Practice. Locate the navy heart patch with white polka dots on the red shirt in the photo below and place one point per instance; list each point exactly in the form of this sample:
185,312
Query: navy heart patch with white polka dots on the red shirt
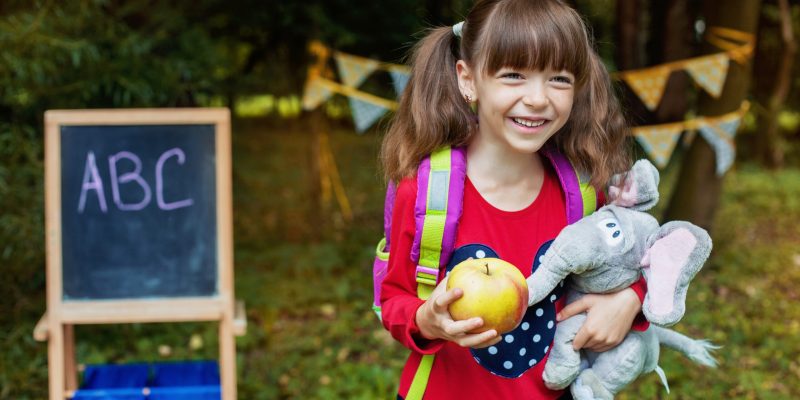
525,346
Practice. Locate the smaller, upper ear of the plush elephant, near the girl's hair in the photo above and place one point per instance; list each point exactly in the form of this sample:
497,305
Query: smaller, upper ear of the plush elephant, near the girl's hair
636,189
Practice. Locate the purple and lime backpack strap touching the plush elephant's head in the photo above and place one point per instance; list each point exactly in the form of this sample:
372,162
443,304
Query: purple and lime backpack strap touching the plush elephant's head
580,196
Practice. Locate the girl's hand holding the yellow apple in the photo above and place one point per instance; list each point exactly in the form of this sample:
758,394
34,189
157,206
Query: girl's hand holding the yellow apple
435,322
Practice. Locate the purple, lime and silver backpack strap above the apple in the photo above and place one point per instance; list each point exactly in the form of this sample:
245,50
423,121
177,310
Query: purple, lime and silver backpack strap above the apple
440,193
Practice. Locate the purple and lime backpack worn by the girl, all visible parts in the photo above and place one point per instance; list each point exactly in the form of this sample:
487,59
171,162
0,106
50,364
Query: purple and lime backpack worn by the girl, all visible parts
441,177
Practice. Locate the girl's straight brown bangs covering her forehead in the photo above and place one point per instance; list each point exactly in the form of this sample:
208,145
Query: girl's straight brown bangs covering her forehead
531,35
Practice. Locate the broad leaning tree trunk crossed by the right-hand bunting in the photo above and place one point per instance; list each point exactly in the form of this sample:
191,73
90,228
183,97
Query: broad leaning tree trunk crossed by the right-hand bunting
696,194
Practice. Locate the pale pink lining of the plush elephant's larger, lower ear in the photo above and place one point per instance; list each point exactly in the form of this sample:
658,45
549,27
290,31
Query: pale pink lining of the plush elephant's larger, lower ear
667,257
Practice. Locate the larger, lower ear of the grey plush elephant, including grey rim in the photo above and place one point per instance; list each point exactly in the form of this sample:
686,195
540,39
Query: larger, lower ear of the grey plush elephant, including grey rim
675,254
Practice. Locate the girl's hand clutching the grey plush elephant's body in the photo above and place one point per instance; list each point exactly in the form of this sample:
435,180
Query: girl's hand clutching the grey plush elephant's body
608,320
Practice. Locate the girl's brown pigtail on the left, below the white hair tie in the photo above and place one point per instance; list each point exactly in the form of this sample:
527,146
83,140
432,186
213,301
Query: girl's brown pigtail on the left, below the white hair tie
431,112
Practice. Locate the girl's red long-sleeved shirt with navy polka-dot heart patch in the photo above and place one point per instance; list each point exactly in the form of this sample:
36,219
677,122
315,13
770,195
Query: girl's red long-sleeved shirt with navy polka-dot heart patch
512,368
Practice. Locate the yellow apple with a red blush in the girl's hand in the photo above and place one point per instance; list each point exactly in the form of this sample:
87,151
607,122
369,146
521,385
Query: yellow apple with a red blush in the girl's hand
494,290
